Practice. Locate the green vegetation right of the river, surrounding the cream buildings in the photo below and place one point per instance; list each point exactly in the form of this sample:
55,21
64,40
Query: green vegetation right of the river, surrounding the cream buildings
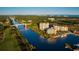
58,20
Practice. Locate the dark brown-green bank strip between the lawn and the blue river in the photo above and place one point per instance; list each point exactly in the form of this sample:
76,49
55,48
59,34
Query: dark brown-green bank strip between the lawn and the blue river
24,44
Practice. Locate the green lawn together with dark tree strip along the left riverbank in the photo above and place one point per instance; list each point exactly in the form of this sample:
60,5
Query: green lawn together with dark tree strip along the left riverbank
13,41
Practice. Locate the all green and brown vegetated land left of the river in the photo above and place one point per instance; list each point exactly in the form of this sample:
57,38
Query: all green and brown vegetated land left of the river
10,37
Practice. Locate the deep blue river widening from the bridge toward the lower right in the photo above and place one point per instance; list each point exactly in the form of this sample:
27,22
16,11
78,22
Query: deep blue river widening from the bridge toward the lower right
42,44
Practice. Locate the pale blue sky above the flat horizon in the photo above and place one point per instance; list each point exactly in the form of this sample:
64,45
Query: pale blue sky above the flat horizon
39,10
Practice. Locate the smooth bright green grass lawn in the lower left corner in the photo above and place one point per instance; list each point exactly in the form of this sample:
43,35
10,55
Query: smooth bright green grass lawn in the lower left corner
9,42
